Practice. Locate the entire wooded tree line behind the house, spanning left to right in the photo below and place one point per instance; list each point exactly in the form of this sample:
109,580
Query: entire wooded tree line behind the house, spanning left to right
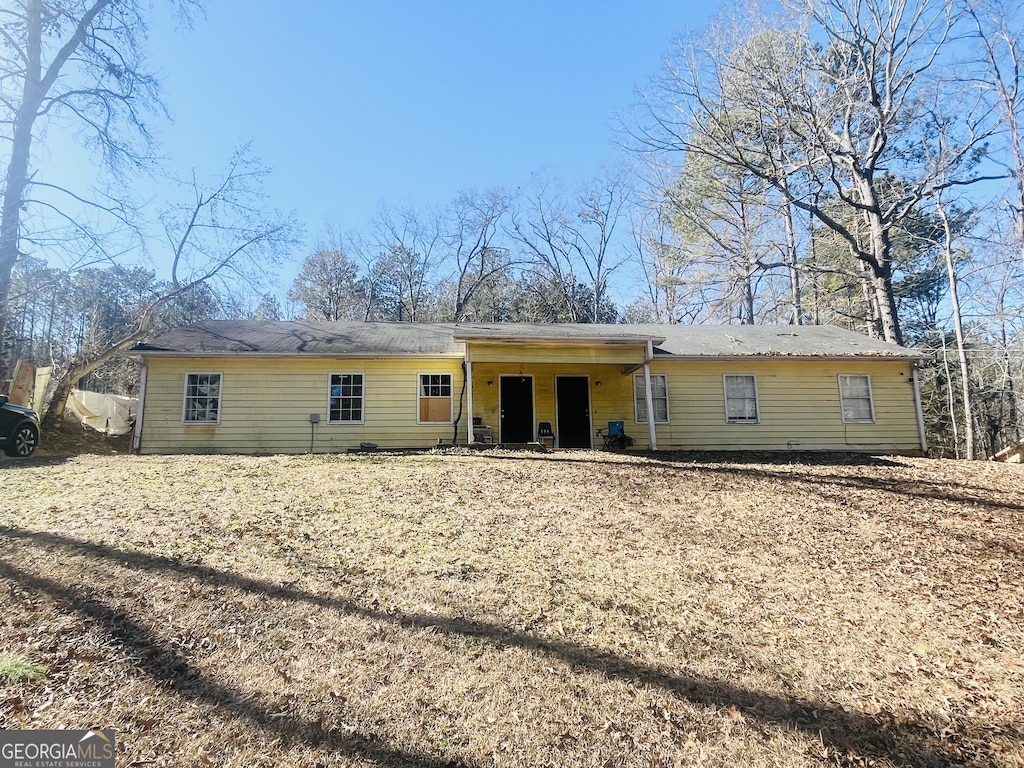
848,162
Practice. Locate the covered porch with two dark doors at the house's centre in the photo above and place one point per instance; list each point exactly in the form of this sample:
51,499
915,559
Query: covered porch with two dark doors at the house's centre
520,383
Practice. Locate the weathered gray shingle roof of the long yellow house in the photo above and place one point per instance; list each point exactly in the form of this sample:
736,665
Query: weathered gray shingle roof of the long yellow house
257,337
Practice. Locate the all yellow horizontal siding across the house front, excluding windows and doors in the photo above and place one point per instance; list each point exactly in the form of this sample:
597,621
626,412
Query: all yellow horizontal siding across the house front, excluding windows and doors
267,403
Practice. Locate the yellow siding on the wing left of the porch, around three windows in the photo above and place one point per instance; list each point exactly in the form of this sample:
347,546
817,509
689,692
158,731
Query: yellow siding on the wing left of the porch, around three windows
267,403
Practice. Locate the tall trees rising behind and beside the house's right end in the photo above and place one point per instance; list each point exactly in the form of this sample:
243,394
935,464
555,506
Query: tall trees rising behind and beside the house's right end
858,163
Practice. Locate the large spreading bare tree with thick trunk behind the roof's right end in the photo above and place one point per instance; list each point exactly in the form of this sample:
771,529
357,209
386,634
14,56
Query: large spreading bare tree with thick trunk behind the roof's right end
824,123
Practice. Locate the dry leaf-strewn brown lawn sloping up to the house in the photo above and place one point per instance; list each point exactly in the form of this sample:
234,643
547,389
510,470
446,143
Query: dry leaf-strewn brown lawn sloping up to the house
583,610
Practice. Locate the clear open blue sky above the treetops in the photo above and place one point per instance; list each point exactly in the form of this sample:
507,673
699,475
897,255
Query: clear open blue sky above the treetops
354,104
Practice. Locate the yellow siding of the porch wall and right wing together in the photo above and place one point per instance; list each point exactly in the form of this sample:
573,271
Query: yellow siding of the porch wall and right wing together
799,403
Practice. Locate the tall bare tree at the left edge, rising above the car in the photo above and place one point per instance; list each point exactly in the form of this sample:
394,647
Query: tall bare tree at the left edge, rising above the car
79,62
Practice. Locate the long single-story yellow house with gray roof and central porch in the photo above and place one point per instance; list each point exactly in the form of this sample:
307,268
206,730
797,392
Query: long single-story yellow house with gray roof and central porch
246,387
